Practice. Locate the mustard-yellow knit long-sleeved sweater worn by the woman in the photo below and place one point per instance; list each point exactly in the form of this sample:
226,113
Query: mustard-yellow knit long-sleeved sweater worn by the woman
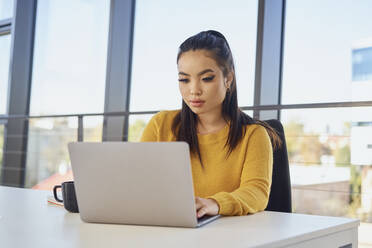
241,183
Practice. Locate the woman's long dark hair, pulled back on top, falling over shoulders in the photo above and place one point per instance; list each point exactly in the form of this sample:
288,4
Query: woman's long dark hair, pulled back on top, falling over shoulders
185,122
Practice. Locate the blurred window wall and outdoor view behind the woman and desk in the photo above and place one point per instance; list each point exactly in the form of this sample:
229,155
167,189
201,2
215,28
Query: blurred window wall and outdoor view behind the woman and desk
93,70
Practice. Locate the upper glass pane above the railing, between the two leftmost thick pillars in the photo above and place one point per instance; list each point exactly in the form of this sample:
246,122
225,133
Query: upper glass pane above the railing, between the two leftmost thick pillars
69,67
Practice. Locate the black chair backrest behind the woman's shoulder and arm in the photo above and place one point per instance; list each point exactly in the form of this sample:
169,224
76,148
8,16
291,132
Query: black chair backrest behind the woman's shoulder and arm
280,199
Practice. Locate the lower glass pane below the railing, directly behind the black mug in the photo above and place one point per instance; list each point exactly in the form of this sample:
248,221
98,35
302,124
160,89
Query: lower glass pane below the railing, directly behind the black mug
48,161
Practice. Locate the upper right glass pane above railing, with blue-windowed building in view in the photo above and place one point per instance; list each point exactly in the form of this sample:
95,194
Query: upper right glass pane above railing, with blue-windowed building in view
327,59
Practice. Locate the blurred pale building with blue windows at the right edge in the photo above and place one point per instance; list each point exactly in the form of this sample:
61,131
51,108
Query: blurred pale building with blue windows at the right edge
361,129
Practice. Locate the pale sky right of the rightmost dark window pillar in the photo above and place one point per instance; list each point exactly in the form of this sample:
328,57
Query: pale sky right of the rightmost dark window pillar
317,63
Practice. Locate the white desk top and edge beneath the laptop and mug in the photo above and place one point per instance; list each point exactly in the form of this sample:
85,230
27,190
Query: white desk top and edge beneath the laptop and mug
27,220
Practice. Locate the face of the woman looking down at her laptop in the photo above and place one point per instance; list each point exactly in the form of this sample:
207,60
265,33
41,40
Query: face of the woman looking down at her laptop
201,81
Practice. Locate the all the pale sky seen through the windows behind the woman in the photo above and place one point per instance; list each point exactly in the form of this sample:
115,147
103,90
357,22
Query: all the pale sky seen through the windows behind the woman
70,54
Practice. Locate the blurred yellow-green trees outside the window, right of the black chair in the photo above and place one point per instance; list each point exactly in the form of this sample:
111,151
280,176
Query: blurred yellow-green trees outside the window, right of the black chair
310,147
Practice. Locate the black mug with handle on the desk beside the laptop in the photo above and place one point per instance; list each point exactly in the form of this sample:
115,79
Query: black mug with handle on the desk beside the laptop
68,195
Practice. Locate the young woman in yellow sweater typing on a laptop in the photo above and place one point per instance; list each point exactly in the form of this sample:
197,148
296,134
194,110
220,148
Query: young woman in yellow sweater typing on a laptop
231,153
